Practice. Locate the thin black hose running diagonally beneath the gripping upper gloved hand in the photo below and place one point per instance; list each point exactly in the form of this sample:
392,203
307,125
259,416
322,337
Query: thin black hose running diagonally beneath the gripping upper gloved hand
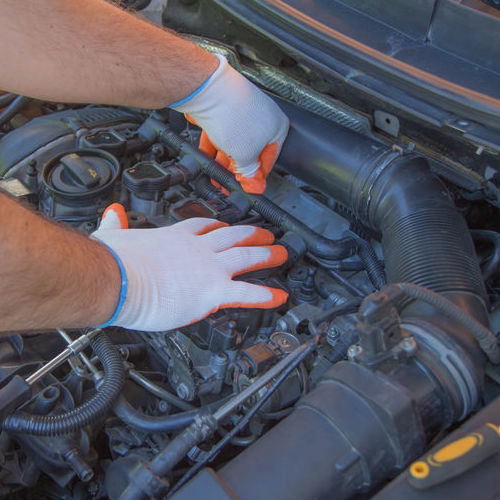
317,244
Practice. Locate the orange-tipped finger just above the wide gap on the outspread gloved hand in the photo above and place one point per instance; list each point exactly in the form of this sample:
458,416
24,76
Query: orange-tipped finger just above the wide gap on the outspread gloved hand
241,260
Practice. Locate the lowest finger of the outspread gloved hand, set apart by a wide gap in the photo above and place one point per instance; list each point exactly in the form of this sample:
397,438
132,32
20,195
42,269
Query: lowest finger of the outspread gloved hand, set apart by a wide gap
248,295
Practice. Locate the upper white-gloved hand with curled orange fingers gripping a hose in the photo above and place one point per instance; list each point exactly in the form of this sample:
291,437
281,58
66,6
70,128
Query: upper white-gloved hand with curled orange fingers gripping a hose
241,124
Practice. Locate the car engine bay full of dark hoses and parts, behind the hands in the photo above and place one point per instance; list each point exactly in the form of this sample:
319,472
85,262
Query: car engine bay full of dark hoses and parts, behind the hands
386,345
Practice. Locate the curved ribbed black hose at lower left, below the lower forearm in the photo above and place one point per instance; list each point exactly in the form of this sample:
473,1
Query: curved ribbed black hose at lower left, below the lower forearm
87,413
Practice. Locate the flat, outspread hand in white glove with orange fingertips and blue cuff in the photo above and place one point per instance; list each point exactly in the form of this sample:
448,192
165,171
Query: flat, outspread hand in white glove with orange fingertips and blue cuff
177,275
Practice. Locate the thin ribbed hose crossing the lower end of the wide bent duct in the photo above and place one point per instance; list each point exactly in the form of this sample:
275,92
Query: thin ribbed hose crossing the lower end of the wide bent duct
486,339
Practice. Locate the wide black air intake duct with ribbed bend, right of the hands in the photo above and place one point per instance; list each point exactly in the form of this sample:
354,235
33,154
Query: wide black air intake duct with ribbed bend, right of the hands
425,240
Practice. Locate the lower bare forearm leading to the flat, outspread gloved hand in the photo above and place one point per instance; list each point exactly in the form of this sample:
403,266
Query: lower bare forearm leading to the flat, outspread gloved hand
51,276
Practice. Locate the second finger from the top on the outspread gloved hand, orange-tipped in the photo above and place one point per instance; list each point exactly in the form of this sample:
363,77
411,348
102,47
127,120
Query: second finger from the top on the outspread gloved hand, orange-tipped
238,236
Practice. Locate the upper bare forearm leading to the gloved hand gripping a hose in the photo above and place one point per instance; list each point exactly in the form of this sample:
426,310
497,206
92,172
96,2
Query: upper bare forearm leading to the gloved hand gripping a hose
89,51
